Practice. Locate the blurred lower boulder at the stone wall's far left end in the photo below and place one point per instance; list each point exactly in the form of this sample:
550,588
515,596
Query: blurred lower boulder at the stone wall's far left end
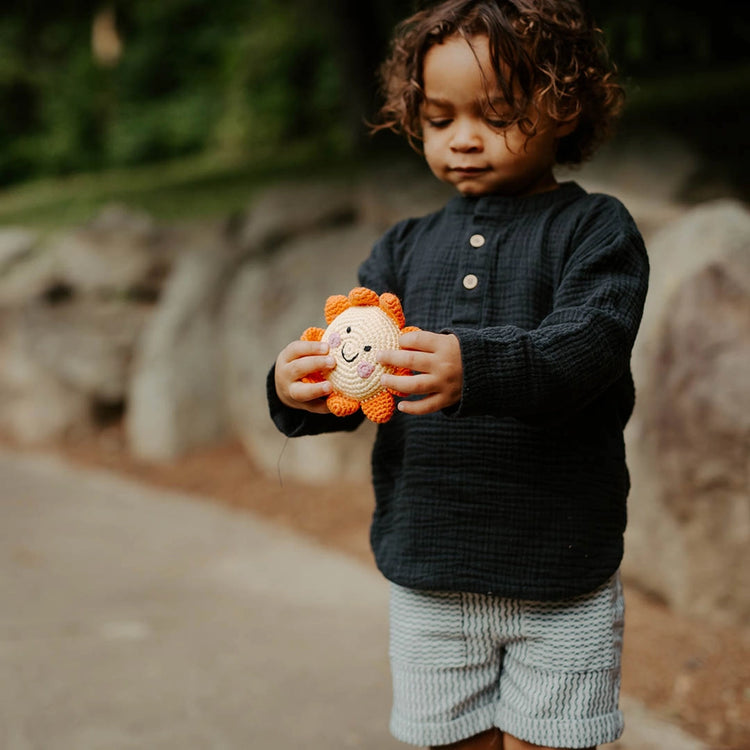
65,366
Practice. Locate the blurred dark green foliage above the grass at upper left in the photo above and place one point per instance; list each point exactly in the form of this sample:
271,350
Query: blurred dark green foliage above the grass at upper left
194,75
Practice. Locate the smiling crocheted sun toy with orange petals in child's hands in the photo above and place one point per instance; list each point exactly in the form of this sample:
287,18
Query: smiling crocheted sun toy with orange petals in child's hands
359,326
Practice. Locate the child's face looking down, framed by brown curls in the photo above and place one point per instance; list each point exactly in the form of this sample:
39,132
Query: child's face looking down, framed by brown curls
466,142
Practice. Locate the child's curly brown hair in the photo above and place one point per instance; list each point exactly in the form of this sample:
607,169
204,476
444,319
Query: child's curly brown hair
547,56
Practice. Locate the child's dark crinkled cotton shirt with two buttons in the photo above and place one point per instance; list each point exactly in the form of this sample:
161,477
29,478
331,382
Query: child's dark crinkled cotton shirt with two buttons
520,489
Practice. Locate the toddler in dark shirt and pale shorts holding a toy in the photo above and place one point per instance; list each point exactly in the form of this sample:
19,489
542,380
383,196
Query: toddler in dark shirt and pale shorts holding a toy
501,481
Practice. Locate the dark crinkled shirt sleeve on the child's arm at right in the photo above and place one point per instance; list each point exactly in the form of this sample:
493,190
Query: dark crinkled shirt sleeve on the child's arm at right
581,348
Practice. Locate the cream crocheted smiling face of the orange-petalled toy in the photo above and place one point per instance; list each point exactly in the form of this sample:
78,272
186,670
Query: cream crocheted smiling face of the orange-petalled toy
354,338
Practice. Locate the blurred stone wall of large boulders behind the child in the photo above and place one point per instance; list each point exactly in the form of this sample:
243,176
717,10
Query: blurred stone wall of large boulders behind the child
174,328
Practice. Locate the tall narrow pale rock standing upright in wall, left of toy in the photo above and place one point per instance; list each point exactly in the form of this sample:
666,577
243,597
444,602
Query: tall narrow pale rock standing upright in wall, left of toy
176,397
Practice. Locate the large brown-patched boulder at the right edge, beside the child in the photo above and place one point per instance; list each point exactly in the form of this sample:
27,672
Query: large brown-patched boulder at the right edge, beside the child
688,539
